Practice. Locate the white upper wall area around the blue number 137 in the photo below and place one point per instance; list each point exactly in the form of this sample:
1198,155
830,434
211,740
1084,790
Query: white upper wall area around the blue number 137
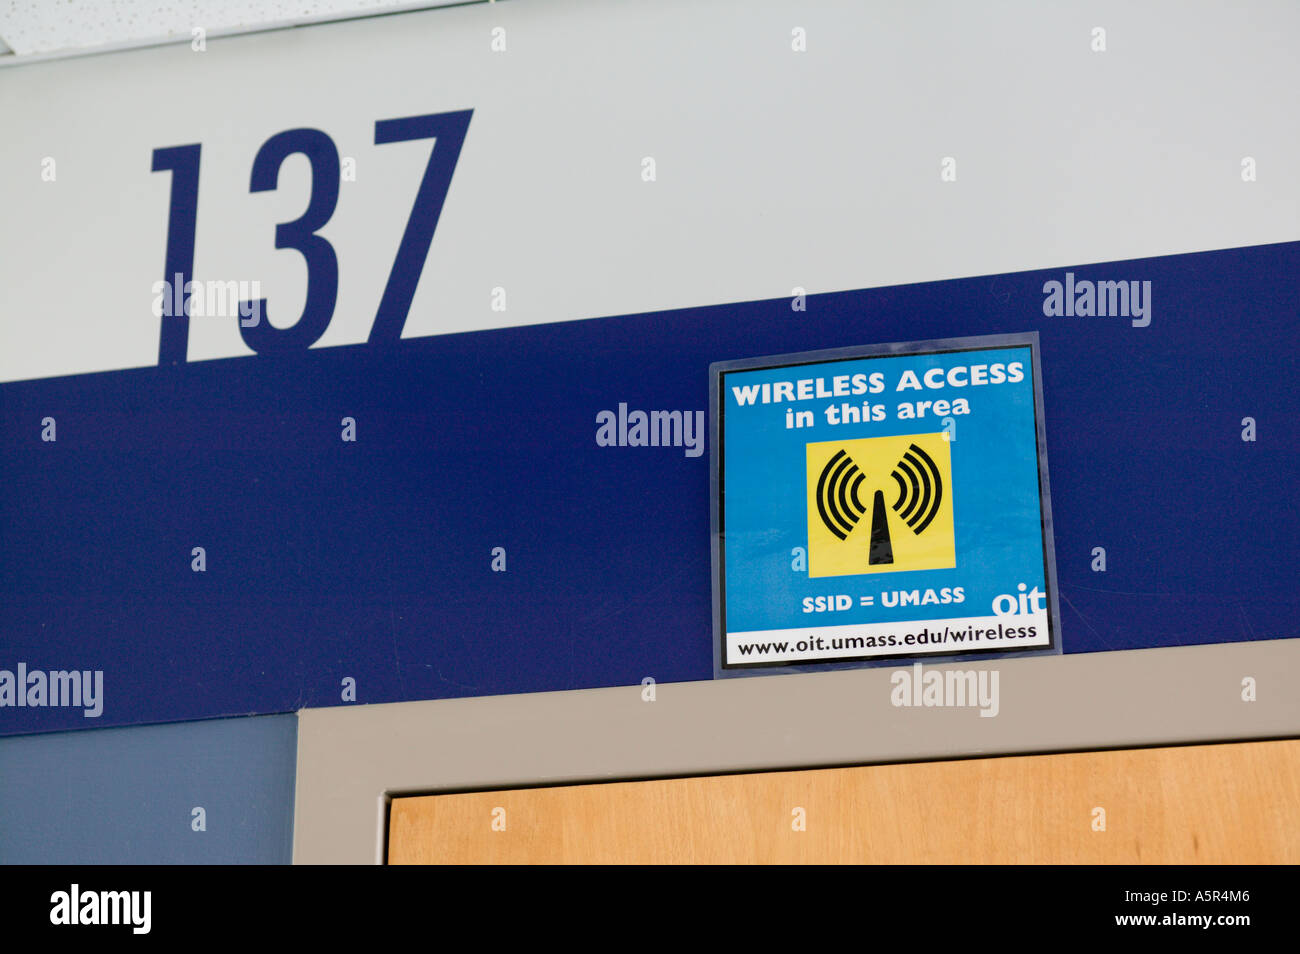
775,168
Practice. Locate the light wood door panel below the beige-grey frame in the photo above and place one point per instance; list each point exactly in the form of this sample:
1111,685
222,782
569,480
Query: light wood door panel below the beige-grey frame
1212,804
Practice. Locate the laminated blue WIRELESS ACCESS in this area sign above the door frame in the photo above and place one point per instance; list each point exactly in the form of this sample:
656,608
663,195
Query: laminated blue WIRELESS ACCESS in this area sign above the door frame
882,504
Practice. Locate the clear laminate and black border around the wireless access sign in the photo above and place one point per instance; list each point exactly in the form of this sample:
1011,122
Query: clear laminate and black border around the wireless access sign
718,372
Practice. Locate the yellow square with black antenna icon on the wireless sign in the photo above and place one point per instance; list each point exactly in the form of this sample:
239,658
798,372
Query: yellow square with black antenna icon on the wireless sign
881,505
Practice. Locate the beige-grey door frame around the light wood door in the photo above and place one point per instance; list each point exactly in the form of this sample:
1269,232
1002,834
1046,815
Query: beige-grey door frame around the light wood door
354,760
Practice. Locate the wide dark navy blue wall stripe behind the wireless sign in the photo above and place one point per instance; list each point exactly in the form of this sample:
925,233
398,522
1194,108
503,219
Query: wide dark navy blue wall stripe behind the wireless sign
371,561
